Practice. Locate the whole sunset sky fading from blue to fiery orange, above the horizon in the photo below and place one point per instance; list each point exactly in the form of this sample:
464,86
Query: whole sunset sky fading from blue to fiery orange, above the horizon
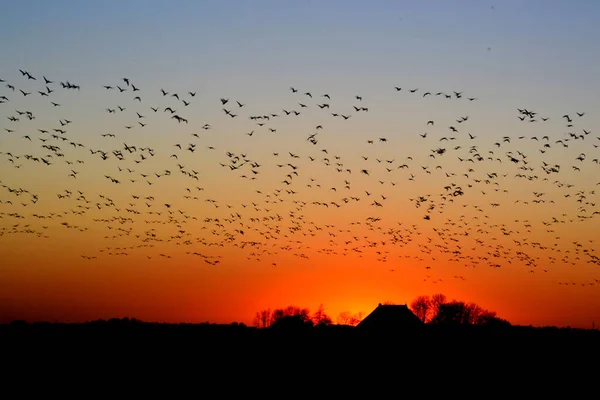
128,201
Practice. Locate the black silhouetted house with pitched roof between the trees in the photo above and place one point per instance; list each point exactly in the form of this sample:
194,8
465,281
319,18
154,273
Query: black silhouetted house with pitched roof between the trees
390,317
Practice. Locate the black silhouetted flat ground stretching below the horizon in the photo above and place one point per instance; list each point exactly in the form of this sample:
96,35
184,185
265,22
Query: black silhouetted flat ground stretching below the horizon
335,360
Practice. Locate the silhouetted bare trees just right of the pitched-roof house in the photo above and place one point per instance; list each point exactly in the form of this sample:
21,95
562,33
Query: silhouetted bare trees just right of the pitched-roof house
438,310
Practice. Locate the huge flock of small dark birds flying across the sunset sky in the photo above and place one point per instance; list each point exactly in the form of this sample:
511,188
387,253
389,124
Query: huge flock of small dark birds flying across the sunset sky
472,184
